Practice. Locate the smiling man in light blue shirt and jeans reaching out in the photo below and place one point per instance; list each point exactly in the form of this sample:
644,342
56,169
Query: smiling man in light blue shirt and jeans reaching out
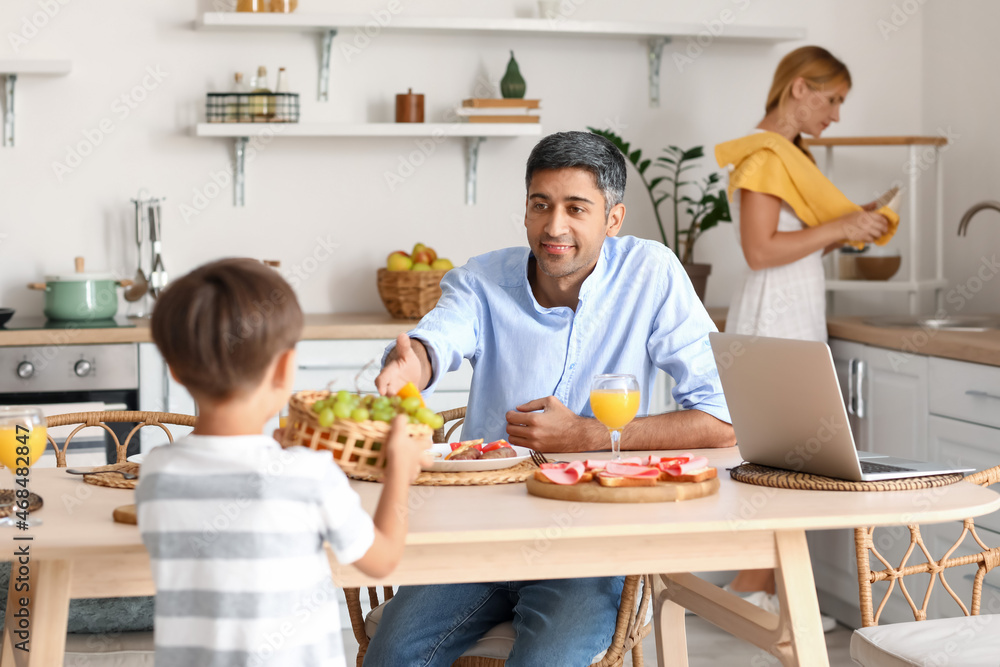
537,324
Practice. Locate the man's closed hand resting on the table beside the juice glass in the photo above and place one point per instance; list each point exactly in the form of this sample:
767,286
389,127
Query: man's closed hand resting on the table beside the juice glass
545,424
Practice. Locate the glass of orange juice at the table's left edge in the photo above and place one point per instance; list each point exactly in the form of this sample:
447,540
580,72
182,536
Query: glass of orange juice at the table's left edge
22,441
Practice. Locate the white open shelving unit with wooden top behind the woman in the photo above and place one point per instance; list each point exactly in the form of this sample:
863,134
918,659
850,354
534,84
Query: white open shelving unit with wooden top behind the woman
913,284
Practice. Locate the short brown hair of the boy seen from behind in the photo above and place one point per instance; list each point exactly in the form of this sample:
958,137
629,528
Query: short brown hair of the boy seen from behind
221,326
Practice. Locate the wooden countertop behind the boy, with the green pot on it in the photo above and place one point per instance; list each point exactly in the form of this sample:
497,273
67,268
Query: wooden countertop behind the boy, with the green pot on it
319,326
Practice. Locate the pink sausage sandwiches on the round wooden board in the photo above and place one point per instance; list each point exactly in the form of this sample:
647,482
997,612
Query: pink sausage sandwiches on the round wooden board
634,471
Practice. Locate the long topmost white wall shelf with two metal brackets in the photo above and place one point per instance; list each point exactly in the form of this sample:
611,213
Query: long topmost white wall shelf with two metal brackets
657,35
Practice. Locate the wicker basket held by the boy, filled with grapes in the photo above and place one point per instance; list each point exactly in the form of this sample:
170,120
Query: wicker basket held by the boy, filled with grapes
356,446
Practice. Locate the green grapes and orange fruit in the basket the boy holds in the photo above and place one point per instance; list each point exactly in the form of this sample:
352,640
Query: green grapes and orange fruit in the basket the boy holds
364,407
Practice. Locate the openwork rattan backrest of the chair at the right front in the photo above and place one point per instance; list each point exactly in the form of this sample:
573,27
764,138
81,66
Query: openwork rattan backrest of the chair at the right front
986,559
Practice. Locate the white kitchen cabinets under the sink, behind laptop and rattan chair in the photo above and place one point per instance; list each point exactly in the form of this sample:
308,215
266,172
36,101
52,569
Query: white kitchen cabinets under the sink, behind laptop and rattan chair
915,407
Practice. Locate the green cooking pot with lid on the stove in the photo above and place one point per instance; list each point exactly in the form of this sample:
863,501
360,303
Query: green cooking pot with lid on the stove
80,296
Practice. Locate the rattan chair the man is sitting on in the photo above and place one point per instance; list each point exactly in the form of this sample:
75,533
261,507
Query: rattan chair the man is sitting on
630,627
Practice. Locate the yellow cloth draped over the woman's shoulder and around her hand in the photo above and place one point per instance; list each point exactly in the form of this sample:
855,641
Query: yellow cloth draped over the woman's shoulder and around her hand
769,163
